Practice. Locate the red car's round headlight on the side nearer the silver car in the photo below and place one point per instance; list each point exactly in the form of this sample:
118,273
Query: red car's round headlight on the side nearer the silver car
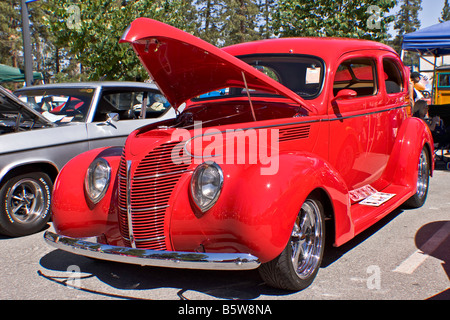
97,179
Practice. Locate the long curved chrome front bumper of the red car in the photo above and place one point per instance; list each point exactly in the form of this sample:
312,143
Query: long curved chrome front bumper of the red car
168,259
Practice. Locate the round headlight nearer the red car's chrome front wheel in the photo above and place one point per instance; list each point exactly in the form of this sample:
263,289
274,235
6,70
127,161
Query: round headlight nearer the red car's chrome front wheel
206,185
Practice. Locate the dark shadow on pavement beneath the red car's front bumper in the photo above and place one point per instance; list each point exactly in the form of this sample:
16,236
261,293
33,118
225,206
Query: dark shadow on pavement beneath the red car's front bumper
133,280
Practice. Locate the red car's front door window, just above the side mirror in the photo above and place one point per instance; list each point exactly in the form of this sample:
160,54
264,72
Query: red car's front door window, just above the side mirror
358,75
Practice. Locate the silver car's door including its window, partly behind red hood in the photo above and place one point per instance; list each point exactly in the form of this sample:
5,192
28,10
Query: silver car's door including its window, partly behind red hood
120,111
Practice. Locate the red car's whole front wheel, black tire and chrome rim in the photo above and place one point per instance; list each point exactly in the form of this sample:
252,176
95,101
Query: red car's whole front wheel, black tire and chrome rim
297,266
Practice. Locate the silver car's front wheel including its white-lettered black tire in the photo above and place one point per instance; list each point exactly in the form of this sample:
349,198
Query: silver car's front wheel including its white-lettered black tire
25,204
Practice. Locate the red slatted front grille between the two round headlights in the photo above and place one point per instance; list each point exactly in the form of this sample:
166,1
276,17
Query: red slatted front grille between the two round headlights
151,186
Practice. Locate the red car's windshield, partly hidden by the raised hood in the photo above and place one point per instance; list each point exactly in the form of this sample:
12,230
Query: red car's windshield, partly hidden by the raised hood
302,74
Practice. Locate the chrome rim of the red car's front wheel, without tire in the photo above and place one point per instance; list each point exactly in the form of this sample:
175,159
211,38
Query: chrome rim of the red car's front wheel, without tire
307,240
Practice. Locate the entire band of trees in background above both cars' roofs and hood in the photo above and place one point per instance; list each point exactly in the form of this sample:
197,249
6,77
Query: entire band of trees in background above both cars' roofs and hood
79,40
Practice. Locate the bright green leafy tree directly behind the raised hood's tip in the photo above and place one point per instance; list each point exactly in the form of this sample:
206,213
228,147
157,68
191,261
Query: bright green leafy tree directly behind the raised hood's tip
91,30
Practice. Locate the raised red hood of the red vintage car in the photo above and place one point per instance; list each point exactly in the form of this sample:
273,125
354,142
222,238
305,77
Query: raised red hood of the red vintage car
184,66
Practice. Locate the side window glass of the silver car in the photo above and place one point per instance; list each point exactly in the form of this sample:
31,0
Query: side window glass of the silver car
129,105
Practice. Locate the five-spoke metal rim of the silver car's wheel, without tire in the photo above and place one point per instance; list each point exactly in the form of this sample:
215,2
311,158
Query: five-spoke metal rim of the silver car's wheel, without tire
26,201
